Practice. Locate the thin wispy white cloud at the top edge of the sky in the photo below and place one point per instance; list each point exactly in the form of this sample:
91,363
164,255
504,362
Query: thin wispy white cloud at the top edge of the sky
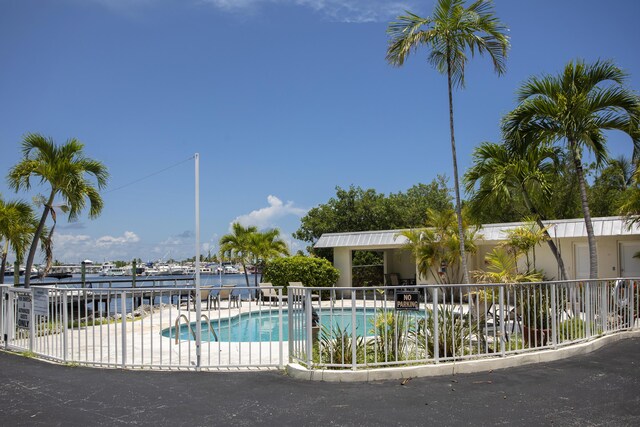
336,10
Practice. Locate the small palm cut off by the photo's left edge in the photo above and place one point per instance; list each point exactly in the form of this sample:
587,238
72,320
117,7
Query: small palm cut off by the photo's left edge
17,225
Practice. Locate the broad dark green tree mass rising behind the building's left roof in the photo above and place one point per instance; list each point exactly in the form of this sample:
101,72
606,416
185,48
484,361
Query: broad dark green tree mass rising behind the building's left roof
357,209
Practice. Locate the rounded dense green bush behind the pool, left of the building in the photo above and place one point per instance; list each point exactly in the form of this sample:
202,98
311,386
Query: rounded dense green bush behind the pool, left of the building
311,271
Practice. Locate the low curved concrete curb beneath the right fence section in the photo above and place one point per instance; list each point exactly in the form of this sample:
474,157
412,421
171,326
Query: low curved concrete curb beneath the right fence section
452,368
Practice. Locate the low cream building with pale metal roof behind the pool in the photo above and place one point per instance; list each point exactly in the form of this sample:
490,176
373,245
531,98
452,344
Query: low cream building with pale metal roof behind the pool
616,245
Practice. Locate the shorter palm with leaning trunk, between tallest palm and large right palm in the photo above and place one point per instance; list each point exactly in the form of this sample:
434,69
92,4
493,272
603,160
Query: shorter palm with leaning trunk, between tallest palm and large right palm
504,176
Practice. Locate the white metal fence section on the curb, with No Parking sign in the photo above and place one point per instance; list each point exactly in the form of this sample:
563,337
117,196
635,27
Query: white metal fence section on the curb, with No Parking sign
359,328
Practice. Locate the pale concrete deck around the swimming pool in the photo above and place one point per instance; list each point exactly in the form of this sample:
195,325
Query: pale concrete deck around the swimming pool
145,347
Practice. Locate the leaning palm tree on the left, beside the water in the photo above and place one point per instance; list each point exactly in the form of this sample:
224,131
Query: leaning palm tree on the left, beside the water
65,169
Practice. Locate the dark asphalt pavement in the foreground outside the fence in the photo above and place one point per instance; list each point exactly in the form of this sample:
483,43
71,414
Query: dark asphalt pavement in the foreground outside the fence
601,388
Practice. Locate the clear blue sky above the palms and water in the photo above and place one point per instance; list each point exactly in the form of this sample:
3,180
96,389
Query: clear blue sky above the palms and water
283,100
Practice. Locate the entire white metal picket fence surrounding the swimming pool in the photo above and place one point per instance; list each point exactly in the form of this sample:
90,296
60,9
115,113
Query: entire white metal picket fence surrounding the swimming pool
328,328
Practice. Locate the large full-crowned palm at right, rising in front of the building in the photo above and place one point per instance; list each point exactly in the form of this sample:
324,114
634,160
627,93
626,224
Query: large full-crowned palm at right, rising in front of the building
574,108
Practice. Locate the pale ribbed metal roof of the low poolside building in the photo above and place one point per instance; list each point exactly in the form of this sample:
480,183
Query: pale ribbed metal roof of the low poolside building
562,228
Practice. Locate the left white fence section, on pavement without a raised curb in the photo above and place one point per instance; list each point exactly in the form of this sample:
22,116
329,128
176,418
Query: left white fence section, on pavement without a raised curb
144,327
